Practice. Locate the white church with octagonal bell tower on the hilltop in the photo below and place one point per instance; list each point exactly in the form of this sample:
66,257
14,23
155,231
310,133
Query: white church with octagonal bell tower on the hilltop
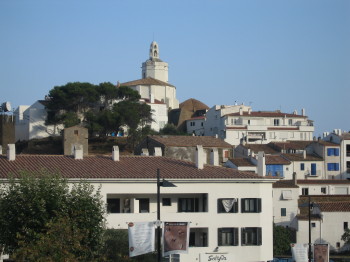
154,86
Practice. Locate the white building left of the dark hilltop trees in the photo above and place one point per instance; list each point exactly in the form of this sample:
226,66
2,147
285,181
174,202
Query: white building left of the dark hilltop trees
30,123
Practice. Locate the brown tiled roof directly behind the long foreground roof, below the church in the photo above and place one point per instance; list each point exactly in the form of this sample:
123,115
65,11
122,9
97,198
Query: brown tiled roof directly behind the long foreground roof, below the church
191,141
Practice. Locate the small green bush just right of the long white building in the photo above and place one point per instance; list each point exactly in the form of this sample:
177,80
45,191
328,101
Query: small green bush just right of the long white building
282,238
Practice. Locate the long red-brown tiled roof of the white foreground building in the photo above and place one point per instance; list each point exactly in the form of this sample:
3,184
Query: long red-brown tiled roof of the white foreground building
129,167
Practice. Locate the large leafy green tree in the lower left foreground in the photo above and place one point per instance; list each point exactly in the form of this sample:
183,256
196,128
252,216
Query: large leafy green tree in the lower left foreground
41,216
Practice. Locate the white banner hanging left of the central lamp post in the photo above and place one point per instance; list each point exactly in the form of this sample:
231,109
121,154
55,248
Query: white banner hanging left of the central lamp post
141,238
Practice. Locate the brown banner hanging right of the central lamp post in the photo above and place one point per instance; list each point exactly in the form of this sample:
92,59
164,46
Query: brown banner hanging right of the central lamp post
175,237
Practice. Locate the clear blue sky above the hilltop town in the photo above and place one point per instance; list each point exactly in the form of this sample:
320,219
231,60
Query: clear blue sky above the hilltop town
270,54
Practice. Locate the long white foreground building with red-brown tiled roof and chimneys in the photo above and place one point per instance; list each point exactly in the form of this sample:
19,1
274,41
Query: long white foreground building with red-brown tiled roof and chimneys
230,212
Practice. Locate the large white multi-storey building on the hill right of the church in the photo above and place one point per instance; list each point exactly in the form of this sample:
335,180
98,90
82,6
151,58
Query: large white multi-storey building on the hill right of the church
239,123
